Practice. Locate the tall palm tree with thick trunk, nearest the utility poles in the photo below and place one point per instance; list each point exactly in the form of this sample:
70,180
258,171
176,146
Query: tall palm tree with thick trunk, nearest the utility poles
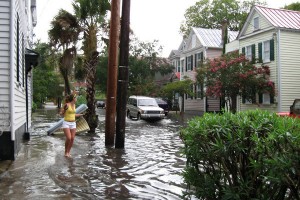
91,15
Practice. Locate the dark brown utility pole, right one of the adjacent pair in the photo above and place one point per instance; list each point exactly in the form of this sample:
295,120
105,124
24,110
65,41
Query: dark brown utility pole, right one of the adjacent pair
123,75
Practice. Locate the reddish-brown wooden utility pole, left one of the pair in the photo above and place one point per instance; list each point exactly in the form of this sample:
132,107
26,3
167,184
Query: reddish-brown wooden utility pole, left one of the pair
111,92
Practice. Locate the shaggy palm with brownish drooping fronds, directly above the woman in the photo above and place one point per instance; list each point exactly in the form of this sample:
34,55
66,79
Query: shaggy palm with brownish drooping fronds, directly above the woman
63,36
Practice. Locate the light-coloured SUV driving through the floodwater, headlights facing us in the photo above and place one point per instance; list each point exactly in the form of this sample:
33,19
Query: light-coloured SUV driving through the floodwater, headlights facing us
142,107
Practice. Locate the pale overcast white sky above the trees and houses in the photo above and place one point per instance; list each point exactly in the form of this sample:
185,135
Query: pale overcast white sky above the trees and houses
149,19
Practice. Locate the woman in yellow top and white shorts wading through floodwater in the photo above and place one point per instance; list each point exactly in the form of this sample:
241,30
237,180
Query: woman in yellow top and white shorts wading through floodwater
69,123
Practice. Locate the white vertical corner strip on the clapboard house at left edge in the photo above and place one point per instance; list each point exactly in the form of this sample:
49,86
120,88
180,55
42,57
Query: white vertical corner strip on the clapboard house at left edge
12,42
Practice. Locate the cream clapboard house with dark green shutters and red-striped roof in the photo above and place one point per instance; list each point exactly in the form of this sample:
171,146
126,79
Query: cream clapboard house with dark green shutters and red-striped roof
272,36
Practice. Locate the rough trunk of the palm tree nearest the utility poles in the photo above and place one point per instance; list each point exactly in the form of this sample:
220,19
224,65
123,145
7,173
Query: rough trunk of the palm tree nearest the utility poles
90,115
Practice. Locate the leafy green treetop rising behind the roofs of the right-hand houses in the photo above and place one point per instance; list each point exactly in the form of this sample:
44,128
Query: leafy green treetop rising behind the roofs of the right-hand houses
211,14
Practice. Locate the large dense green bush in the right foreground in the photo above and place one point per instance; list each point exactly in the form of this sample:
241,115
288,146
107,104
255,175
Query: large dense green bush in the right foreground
248,155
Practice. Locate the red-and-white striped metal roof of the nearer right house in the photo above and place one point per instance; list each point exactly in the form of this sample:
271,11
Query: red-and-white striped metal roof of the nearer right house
280,18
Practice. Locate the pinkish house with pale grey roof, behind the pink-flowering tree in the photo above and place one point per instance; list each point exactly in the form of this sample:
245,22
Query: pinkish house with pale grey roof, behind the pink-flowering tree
201,44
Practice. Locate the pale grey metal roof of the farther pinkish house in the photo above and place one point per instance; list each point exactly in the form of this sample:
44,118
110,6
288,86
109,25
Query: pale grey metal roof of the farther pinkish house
213,37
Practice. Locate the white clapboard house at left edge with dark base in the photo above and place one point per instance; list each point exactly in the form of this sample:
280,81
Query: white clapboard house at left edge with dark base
17,19
